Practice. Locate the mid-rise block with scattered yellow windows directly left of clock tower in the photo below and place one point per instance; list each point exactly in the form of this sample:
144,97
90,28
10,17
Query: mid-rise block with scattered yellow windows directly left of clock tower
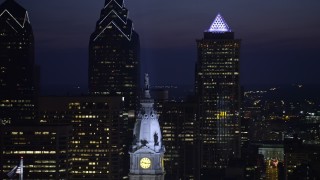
98,143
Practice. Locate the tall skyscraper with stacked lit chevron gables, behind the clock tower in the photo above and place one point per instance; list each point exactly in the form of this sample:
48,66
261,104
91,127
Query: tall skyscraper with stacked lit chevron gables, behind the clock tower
114,55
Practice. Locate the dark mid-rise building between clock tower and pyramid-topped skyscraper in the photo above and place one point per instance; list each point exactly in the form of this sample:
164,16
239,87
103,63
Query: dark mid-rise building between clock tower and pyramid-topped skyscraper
178,122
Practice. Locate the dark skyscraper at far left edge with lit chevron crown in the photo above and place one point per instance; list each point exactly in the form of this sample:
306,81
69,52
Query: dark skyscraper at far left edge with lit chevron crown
17,86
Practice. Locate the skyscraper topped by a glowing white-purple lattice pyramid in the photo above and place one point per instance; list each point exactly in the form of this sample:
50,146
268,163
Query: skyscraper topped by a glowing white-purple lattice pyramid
217,87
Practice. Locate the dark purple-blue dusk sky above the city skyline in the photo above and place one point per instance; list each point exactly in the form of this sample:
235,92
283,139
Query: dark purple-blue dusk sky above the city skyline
280,39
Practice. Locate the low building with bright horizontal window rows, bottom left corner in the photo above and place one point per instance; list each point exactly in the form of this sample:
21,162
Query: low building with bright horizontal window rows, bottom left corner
45,150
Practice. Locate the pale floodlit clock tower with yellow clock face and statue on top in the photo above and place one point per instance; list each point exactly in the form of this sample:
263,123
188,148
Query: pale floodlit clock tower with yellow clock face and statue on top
146,154
